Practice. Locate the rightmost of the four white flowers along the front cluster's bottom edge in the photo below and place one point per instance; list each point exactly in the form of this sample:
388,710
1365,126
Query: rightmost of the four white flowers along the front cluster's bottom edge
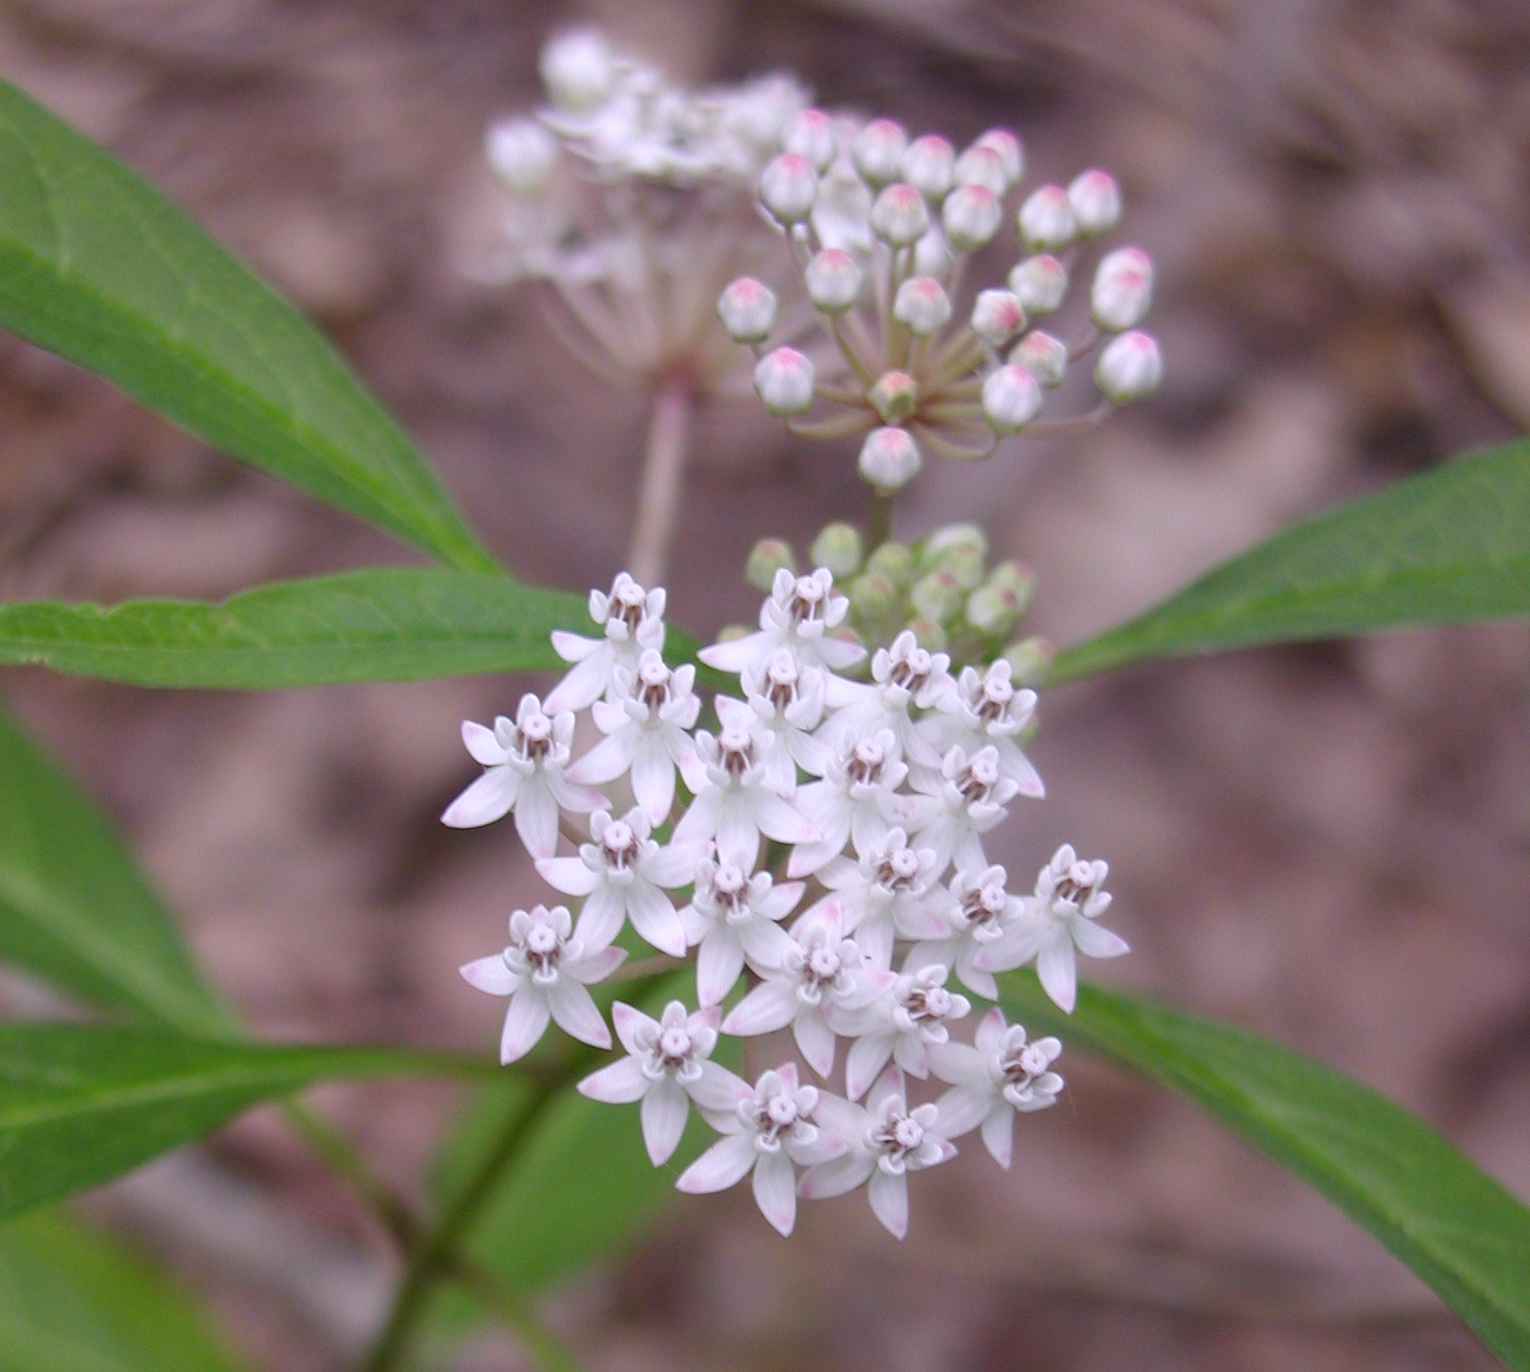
994,1079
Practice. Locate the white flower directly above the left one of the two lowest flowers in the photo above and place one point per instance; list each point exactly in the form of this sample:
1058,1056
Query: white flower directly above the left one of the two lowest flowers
822,978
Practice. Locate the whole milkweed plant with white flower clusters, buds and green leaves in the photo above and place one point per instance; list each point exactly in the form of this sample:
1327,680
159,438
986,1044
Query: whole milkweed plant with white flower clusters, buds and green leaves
770,914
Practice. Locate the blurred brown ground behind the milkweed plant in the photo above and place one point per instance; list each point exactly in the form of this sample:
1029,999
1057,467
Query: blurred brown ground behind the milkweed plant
1329,844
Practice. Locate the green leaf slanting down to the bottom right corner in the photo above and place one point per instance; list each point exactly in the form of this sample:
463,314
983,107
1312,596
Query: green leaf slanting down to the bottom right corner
1433,1208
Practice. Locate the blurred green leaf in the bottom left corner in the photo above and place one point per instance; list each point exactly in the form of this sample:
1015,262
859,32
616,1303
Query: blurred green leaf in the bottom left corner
74,1301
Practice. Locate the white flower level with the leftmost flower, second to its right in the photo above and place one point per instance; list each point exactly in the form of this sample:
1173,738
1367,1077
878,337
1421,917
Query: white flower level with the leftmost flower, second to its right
737,802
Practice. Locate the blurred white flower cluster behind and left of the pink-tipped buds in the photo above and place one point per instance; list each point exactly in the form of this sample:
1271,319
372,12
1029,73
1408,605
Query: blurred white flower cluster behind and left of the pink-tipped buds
634,201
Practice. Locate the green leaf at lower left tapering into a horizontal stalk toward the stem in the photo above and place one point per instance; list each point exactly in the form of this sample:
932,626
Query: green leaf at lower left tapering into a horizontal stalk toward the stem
85,1104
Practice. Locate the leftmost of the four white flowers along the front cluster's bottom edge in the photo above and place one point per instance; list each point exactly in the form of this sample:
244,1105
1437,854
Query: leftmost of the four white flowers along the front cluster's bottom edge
666,1068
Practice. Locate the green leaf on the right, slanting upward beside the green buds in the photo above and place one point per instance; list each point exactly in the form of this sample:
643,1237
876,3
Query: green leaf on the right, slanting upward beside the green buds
1444,548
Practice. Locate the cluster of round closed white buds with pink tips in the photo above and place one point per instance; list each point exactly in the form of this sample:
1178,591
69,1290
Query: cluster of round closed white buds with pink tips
882,229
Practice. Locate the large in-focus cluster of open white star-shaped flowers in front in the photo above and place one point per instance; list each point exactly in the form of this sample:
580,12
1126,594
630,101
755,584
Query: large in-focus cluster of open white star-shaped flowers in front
827,845
